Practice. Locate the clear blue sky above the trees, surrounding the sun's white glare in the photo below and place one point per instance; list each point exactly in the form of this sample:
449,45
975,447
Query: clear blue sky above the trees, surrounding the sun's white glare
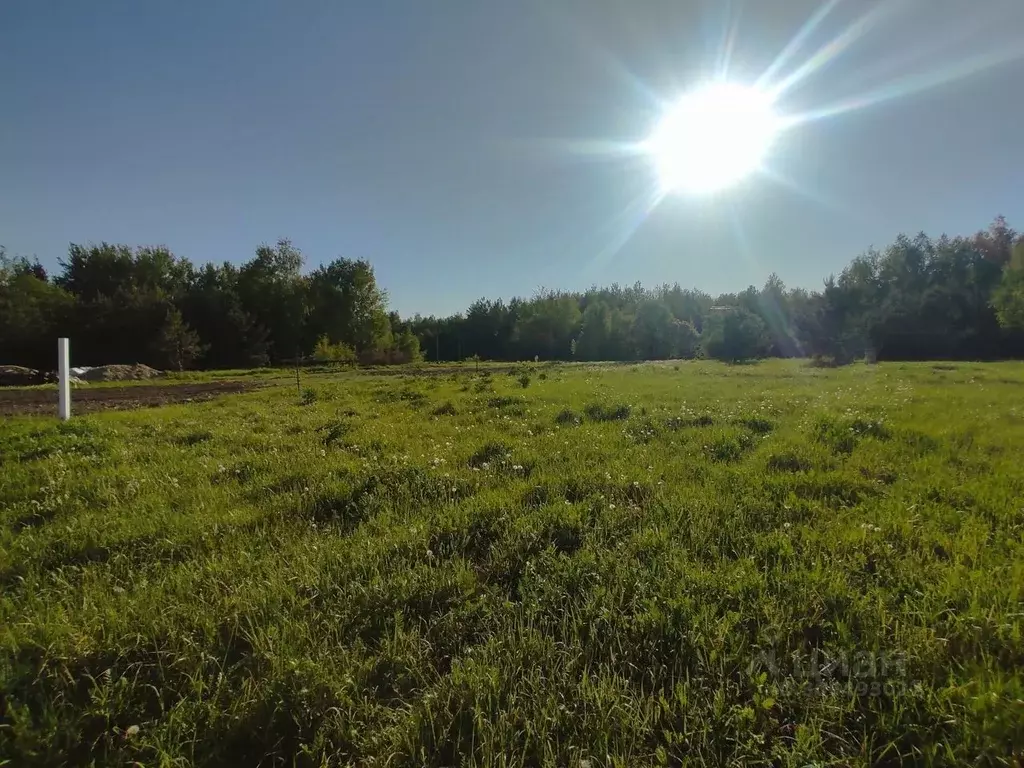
468,148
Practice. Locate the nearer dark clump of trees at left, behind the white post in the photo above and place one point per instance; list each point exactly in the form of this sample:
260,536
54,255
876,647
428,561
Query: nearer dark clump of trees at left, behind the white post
120,305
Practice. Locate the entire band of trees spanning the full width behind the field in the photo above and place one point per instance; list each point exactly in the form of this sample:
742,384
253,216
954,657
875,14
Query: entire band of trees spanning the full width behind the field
920,298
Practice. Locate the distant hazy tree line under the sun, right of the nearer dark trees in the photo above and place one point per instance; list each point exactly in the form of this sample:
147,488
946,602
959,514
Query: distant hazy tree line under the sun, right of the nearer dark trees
920,298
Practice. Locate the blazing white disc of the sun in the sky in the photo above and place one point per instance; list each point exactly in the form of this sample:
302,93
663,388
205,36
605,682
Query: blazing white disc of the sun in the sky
713,138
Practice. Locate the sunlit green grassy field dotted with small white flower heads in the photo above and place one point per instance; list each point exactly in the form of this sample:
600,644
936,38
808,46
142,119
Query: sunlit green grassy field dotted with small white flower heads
766,565
